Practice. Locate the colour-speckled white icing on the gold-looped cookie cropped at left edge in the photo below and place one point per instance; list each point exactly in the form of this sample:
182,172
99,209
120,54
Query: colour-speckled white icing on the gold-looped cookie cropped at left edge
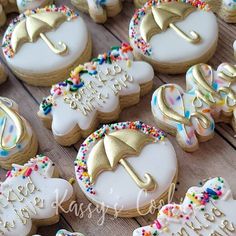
10,133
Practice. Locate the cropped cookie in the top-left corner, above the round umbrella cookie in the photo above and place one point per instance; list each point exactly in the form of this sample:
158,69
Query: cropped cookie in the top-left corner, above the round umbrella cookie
8,6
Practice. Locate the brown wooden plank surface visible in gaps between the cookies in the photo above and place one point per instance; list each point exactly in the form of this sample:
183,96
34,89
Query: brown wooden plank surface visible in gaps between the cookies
214,158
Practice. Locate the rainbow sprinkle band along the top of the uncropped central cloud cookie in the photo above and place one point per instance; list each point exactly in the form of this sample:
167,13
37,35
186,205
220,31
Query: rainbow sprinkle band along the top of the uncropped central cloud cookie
75,82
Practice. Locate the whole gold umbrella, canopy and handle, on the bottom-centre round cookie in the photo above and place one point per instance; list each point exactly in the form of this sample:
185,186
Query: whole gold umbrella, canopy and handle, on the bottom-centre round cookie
111,151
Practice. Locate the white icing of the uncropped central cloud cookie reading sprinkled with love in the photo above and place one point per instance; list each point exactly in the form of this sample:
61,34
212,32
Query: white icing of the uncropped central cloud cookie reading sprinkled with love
65,119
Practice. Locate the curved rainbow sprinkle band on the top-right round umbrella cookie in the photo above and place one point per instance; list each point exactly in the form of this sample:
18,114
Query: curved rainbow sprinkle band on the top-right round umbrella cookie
139,13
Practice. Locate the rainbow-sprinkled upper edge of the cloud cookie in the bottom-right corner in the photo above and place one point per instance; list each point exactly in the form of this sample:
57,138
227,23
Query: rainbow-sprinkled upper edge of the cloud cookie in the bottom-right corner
196,198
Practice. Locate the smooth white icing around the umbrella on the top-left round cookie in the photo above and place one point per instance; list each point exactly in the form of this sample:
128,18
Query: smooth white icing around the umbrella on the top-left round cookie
39,59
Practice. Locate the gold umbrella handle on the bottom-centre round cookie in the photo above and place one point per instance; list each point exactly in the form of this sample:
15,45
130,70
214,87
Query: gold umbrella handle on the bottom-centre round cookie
149,184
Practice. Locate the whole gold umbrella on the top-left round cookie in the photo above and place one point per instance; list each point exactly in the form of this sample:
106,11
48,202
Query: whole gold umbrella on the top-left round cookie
34,26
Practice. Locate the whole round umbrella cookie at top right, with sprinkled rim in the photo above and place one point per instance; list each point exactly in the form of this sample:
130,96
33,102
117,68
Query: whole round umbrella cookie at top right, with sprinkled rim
173,35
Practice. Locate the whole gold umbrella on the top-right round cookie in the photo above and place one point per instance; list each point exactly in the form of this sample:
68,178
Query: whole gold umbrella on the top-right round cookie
163,16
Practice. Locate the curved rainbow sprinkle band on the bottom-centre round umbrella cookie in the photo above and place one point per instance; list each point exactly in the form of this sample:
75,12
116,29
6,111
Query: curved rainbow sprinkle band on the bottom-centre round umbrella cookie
80,162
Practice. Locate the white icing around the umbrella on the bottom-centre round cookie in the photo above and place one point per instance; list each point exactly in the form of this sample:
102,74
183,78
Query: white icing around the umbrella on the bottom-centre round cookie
115,188
